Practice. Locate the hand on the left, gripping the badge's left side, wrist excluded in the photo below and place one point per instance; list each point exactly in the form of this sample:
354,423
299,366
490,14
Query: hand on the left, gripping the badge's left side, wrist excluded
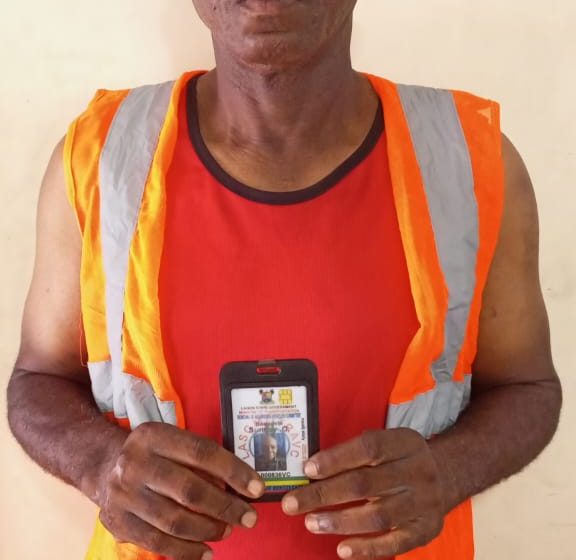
163,491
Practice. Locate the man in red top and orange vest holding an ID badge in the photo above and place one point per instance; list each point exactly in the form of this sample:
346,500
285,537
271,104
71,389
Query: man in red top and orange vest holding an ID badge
285,205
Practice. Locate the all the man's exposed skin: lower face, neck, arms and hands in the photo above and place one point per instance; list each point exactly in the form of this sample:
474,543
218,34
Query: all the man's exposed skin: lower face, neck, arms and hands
284,87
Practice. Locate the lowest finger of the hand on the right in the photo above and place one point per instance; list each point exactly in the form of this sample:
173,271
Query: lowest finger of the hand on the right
394,543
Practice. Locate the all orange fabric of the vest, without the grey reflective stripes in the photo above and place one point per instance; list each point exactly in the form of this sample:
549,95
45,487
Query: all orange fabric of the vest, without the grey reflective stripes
143,352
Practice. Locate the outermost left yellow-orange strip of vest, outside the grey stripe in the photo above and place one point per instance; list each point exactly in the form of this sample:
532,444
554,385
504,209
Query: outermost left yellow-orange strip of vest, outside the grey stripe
84,141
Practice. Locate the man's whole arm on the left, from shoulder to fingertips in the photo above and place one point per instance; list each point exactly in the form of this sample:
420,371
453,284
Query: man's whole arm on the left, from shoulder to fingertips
158,487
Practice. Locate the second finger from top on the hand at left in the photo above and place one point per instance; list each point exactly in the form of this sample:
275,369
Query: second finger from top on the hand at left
193,492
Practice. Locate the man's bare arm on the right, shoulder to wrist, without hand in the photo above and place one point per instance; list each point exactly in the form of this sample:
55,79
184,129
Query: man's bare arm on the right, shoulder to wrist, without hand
516,394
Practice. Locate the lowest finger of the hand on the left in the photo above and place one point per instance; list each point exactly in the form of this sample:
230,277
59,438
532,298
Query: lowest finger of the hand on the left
136,531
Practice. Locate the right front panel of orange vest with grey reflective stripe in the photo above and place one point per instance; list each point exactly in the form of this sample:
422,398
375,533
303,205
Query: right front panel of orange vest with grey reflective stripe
446,170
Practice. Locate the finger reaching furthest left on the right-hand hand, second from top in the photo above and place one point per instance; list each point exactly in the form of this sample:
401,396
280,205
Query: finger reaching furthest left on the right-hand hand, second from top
351,486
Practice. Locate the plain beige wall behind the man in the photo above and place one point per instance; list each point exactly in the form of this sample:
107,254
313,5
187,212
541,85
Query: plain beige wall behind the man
53,56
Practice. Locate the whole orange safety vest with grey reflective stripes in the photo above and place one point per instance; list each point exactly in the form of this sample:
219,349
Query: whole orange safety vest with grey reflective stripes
448,184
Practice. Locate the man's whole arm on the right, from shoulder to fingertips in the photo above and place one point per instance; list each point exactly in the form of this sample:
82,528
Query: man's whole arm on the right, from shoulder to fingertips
411,484
